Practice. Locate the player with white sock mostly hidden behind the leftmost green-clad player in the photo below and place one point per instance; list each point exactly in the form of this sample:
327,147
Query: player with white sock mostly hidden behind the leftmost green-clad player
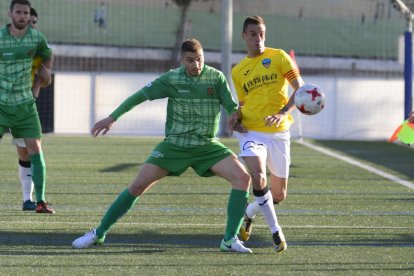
41,77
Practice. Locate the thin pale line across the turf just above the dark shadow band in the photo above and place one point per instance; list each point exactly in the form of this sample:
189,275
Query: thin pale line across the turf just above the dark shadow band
206,225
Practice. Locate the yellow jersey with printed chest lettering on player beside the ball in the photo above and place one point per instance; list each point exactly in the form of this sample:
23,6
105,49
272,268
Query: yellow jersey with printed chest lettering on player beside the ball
262,86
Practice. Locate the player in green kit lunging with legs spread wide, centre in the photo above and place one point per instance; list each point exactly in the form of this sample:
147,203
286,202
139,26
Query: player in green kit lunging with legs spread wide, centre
195,93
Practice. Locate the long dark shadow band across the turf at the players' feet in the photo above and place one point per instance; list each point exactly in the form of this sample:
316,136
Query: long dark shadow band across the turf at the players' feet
157,241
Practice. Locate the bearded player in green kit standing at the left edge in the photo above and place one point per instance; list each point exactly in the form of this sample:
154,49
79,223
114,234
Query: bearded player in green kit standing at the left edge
18,45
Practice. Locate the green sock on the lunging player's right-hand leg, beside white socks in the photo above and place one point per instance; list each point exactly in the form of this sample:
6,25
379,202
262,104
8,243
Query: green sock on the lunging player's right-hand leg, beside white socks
235,212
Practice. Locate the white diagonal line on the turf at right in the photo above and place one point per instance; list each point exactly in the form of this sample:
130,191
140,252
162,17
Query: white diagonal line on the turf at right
354,162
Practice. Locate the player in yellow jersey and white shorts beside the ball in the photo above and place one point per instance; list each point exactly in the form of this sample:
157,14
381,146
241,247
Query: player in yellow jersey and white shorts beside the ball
261,80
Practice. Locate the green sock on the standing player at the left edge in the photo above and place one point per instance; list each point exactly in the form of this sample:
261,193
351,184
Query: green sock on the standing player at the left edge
38,175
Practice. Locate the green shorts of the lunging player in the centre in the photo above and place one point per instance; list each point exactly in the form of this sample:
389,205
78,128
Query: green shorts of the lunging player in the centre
178,159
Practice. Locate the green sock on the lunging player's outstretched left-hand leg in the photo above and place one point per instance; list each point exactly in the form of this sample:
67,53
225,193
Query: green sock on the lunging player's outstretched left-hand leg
119,207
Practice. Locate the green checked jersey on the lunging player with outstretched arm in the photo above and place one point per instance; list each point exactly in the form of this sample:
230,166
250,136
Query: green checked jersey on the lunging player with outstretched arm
193,110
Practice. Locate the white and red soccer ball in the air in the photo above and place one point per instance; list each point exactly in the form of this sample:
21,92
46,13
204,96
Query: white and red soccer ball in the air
310,99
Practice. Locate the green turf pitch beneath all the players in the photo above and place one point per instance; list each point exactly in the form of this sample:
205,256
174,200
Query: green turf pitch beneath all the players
337,218
